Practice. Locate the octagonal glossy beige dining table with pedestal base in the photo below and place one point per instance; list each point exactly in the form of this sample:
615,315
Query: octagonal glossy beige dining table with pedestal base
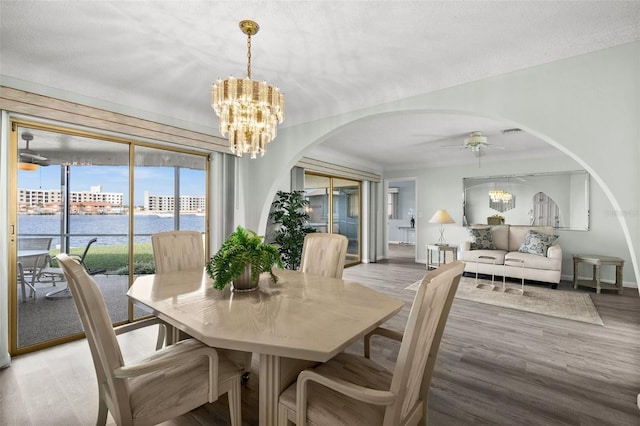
292,324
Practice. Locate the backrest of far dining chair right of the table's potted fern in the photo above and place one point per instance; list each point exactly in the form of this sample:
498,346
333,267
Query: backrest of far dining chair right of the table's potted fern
324,254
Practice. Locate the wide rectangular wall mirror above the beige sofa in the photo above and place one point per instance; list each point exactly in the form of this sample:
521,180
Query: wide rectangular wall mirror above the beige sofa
559,199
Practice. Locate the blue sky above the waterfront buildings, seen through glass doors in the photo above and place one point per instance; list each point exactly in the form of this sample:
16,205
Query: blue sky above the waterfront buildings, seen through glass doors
156,180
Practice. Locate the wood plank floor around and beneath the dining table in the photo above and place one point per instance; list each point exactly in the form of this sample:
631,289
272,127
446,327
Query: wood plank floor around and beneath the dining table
496,366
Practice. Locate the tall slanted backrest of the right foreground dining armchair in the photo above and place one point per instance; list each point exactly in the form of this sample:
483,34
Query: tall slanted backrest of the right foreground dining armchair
421,340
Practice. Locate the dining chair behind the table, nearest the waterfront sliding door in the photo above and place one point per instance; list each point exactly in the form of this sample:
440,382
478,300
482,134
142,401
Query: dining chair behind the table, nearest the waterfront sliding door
179,251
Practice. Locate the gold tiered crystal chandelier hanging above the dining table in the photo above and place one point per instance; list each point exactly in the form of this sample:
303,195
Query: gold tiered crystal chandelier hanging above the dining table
249,110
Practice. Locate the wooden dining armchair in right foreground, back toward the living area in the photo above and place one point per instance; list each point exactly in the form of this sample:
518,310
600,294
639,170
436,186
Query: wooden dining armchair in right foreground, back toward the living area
354,390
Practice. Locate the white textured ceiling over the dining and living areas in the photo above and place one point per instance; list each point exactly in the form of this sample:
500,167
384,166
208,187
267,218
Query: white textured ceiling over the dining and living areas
152,58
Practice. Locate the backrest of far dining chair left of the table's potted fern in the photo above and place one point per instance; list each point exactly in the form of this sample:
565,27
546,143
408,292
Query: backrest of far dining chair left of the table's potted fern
177,250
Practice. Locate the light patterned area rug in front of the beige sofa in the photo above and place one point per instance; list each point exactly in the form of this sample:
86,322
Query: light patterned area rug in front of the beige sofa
571,305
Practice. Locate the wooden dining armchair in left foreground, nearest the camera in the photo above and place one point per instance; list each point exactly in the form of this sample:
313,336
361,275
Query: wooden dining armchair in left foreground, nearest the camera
166,384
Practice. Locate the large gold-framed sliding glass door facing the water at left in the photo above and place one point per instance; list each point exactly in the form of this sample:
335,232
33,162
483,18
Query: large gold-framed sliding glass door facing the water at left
76,189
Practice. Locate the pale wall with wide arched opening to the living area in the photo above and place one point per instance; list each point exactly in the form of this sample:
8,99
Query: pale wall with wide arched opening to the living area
585,106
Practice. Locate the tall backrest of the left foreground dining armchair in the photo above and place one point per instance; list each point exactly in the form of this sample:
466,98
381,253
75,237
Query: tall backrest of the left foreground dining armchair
101,337
